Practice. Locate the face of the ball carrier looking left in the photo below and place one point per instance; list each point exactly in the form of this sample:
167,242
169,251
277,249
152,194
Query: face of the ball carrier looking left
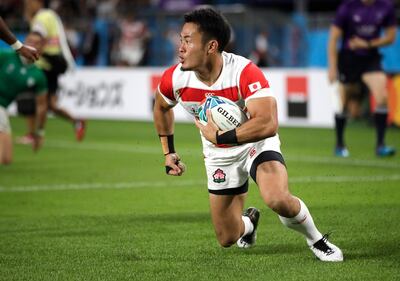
192,51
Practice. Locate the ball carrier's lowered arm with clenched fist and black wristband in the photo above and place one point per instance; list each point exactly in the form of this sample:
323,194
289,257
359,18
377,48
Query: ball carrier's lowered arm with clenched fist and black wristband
164,123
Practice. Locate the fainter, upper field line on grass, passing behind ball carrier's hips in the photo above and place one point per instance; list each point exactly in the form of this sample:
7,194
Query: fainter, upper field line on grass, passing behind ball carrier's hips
135,148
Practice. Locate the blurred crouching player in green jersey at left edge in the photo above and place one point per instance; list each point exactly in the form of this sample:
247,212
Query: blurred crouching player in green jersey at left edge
18,76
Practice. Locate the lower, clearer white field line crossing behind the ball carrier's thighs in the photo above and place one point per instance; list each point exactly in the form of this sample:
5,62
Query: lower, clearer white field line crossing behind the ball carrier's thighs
188,183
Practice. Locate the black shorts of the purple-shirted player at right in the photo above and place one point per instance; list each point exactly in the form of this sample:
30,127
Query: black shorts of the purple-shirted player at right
351,66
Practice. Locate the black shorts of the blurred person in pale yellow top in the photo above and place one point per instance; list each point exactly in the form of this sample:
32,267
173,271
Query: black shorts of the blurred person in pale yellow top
58,65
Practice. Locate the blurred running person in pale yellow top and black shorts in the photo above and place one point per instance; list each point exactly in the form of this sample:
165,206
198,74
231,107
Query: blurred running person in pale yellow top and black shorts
54,61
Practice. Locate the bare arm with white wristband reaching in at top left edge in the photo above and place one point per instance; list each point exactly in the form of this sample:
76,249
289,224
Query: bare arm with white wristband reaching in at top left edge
6,35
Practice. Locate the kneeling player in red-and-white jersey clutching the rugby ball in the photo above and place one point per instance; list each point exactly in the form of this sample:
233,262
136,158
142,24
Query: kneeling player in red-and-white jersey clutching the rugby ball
205,69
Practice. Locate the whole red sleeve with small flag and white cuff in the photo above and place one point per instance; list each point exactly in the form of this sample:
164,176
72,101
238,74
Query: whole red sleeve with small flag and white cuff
253,83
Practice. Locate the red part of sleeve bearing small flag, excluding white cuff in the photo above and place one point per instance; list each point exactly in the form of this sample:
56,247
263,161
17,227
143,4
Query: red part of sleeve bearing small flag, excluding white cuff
251,80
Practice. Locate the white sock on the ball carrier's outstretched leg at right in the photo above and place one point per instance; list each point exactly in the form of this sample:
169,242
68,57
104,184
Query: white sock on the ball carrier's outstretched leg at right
304,224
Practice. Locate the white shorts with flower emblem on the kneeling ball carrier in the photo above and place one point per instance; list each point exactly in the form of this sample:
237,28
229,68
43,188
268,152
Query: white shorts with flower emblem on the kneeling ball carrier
228,169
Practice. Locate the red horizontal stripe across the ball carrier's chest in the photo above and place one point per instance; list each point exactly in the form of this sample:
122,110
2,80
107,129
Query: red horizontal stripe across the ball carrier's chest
188,94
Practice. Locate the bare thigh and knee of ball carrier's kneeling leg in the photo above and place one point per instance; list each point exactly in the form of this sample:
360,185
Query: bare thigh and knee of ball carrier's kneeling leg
226,213
